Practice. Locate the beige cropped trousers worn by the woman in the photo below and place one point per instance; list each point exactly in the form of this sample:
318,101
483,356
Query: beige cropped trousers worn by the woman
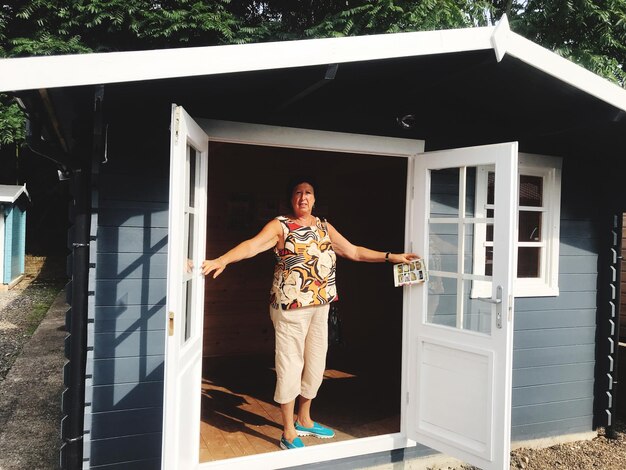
301,346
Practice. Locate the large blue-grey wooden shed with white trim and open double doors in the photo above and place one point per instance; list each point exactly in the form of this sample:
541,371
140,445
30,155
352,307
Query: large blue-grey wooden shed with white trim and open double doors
495,159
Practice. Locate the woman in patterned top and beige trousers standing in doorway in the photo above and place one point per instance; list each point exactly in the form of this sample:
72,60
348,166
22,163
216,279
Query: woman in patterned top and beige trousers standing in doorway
303,288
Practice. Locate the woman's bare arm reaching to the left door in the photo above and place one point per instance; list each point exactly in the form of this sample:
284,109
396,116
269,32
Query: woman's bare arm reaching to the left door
264,240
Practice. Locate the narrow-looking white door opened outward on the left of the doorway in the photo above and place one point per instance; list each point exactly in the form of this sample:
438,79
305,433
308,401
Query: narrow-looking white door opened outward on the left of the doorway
185,292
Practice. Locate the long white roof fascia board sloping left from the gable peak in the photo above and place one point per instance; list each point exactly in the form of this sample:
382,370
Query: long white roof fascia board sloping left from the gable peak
30,73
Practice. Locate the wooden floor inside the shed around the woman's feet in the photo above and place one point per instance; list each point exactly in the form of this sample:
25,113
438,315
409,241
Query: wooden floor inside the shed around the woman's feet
240,417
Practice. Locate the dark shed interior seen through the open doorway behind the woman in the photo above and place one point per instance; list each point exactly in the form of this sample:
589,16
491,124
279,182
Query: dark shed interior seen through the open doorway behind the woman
364,198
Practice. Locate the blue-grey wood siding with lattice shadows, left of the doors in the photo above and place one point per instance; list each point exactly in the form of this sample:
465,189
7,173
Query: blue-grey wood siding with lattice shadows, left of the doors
126,333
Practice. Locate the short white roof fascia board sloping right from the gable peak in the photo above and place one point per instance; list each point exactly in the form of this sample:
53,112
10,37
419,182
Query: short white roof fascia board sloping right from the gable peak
553,64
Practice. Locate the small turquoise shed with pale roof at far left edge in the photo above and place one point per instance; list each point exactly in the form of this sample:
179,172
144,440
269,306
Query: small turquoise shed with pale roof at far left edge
13,199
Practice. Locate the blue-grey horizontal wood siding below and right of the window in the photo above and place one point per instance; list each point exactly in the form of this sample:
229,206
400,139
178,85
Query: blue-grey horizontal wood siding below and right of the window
554,340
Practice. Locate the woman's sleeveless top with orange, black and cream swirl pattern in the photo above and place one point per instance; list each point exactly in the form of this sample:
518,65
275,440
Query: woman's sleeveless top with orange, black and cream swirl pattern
305,268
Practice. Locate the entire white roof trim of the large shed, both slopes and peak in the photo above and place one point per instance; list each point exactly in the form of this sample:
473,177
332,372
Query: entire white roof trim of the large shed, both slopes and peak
119,67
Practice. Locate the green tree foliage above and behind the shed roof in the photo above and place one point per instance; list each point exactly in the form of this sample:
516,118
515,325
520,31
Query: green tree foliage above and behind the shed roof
590,32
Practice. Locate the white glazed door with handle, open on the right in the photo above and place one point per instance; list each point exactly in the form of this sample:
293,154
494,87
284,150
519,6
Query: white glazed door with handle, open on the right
460,351
